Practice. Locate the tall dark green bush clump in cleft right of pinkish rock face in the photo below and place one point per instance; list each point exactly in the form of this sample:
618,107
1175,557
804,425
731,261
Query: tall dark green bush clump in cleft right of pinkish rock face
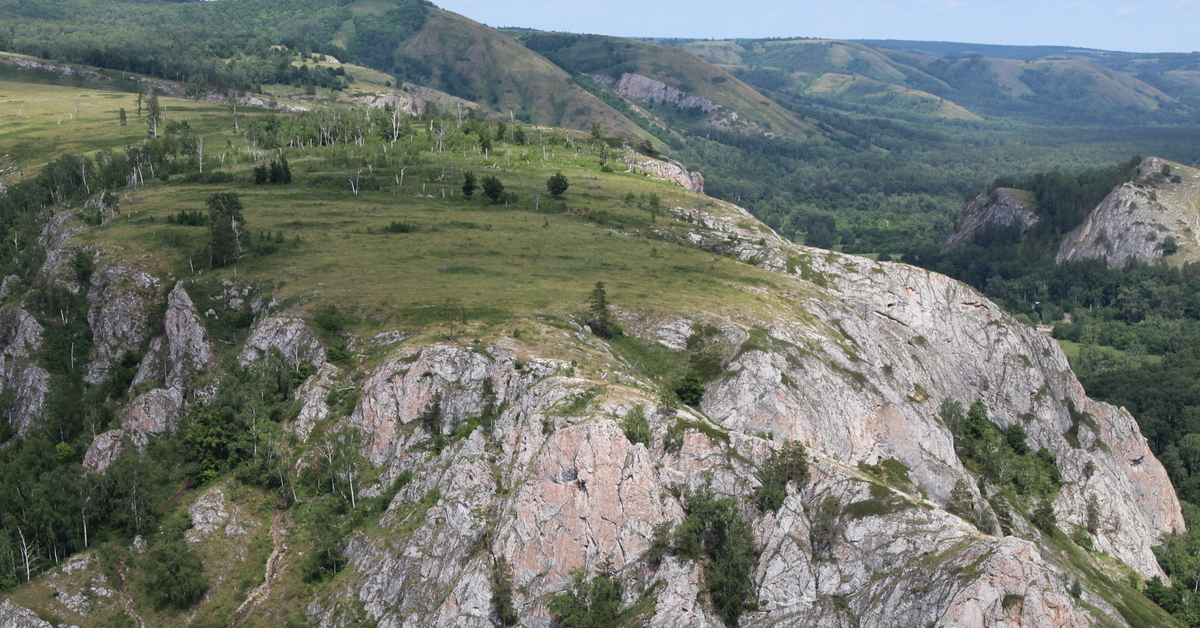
717,533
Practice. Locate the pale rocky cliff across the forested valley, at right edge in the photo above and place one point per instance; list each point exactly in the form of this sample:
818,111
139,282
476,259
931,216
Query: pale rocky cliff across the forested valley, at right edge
1137,220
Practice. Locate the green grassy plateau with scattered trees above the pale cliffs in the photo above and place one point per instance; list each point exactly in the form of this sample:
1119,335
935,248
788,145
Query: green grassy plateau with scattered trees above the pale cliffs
499,262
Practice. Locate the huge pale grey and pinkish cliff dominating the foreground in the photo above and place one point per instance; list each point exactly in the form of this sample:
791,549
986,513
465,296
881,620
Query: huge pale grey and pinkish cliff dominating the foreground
856,372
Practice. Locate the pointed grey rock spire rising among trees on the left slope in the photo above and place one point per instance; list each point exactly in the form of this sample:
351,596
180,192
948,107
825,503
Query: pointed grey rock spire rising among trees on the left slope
183,352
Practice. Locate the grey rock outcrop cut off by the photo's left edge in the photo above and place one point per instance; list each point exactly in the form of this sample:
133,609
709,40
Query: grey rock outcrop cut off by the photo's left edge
21,337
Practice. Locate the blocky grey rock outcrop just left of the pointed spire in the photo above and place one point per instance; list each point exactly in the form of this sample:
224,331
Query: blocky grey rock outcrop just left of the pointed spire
122,304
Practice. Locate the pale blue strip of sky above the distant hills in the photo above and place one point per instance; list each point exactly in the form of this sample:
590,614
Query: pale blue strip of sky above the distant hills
1162,26
